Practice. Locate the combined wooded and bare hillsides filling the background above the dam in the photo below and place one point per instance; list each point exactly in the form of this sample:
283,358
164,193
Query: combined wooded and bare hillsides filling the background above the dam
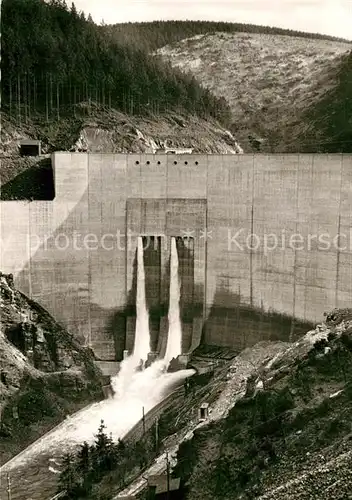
61,72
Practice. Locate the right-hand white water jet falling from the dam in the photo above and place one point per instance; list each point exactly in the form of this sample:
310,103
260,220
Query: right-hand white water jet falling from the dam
174,339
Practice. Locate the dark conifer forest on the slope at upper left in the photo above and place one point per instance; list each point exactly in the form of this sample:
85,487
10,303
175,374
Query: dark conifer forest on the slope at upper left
53,57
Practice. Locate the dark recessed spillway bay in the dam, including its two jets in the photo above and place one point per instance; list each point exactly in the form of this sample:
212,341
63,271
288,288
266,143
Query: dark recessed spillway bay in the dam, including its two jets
168,273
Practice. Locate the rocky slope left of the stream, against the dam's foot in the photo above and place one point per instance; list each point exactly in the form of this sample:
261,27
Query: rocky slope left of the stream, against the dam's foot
45,373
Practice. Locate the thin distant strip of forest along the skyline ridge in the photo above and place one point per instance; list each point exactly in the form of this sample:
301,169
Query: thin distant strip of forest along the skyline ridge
156,34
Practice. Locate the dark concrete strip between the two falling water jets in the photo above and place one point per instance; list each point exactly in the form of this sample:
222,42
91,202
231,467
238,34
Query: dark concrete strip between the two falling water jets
152,268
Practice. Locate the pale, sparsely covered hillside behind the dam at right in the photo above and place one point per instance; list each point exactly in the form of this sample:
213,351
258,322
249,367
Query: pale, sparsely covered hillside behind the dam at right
281,89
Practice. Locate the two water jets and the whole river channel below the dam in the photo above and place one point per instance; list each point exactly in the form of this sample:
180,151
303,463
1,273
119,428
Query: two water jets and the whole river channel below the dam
34,472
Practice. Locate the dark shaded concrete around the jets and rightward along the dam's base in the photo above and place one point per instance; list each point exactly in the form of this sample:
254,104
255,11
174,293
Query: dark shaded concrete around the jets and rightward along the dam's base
229,320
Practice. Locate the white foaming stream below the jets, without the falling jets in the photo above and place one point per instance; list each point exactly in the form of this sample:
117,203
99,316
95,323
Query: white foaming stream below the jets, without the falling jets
145,389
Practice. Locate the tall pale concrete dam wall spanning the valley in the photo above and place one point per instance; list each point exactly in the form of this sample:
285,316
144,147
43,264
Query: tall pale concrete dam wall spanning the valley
264,245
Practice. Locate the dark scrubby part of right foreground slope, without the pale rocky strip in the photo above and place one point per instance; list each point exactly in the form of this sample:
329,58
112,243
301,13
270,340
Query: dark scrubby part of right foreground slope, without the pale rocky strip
290,436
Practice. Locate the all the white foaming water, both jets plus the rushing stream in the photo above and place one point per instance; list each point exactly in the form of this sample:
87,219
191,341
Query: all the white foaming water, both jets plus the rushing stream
133,388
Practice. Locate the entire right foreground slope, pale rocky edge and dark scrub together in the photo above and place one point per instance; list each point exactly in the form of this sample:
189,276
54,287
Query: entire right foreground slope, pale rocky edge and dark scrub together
278,424
